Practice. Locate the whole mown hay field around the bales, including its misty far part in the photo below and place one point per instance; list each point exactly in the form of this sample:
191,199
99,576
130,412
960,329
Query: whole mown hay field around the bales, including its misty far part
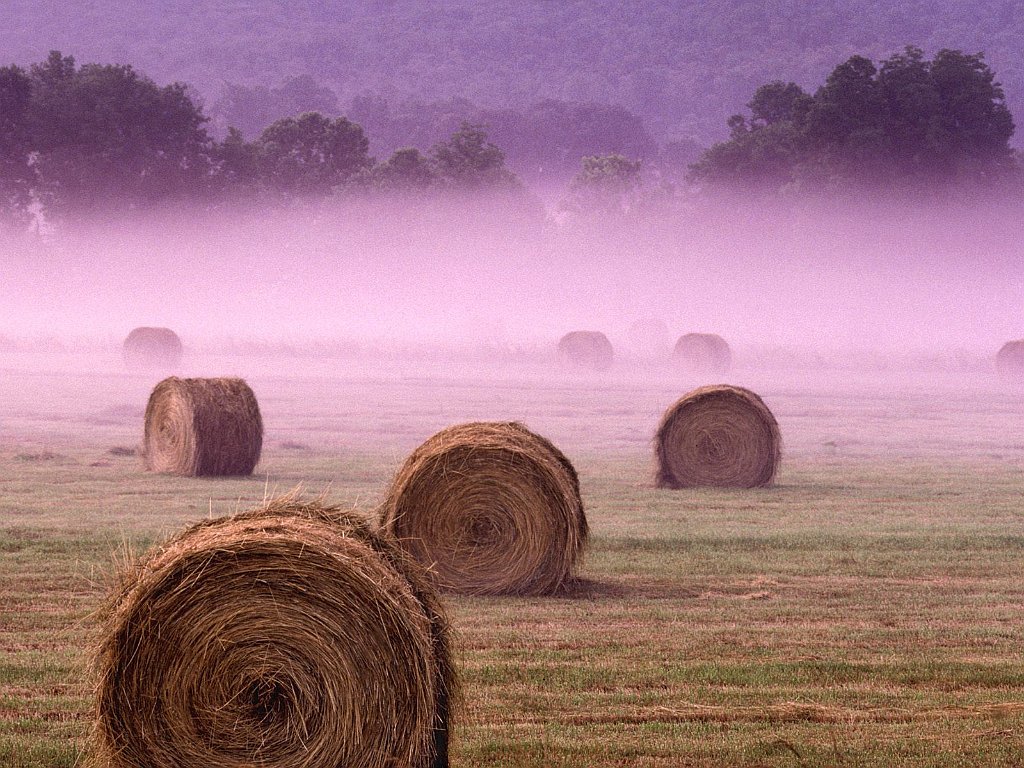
868,611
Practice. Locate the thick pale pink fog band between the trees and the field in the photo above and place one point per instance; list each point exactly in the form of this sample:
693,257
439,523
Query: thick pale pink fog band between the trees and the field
817,282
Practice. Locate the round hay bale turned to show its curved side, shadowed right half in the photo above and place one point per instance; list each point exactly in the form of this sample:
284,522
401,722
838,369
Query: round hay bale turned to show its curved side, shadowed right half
202,428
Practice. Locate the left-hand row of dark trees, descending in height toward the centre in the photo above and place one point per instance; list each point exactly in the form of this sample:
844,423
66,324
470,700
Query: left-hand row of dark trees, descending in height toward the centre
80,140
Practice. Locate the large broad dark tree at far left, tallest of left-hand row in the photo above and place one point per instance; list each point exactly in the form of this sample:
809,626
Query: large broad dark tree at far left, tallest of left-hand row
105,136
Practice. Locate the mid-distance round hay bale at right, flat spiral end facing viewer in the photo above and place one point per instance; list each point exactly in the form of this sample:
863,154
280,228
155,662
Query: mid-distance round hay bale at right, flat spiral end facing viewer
720,437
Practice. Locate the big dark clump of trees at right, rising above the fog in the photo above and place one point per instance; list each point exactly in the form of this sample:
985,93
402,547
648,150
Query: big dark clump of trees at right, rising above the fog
909,124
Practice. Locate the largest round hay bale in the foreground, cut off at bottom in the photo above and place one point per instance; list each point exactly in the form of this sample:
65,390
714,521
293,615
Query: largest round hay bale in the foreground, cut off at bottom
292,636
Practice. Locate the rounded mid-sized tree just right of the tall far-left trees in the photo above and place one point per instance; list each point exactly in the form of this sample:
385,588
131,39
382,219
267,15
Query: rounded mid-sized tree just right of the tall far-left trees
312,154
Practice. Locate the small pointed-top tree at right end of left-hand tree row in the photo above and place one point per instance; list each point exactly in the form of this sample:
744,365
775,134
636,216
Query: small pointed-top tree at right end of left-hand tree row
470,161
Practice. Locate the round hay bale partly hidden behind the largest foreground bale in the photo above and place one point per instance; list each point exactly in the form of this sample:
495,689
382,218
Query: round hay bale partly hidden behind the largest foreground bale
492,509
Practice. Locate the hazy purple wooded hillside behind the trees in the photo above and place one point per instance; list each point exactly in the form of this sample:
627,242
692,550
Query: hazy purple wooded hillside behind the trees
684,66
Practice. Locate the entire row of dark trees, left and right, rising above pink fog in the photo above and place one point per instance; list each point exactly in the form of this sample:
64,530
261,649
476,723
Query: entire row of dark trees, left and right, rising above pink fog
80,140
